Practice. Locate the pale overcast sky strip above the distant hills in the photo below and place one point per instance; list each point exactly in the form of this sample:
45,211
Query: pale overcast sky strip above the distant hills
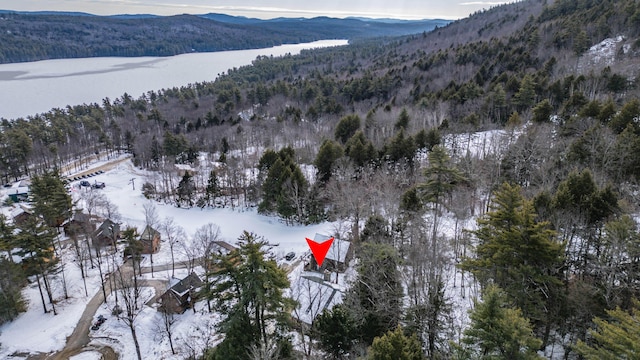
265,9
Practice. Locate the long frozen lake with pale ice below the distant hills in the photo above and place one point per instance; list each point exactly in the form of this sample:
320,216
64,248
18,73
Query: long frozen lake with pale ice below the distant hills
36,87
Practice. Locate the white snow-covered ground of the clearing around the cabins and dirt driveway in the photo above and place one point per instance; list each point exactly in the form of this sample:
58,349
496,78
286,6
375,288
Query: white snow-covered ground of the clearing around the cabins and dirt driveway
34,331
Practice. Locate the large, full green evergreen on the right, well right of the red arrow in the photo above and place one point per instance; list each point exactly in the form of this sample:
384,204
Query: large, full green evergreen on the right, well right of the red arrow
512,246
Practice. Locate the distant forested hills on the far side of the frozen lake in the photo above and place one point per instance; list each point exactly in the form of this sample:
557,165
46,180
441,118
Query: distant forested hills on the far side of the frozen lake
30,37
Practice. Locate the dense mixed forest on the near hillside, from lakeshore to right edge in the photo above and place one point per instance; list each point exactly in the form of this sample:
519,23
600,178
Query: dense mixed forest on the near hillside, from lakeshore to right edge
387,127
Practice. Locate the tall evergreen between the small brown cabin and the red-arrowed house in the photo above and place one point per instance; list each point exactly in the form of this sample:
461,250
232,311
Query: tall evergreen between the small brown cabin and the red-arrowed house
248,292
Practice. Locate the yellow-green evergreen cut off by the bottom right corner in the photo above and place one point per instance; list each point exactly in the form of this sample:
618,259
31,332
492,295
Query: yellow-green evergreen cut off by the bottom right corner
617,337
